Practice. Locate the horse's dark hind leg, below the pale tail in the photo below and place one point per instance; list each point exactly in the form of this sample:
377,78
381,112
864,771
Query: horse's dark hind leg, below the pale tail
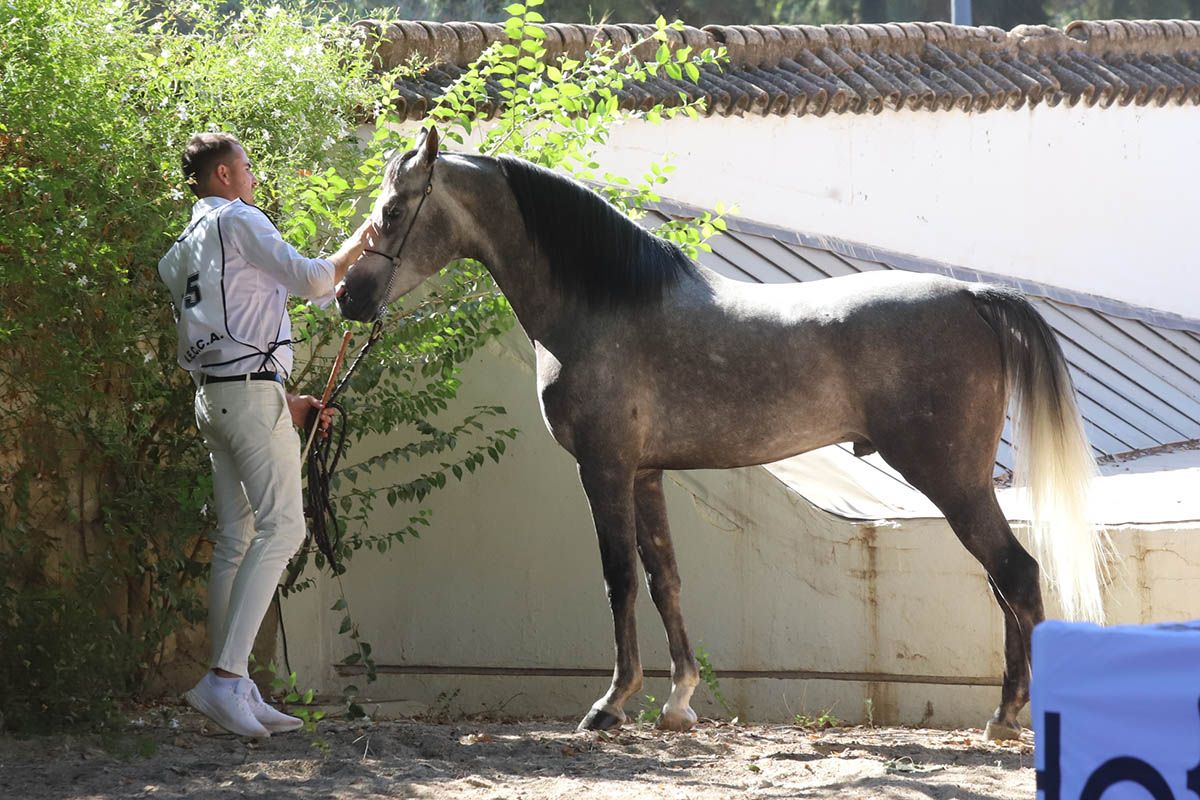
965,495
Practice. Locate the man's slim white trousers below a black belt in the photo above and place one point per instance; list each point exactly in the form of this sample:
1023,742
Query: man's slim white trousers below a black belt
260,508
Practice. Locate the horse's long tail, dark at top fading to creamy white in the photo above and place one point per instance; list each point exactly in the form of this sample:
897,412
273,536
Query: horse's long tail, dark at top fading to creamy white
1054,461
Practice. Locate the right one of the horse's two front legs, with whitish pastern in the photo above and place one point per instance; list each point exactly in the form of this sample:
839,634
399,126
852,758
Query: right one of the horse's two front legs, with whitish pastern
663,579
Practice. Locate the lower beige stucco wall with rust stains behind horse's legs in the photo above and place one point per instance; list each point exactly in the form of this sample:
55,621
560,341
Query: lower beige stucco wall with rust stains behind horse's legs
509,576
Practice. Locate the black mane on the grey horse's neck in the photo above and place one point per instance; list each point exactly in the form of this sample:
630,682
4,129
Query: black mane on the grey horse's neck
595,251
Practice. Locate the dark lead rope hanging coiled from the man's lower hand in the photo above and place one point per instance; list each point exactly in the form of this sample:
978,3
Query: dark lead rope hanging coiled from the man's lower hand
322,464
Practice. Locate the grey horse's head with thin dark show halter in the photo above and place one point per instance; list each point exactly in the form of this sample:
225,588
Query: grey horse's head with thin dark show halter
406,248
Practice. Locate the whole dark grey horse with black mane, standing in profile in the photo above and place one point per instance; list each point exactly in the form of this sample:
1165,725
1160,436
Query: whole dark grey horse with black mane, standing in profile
647,362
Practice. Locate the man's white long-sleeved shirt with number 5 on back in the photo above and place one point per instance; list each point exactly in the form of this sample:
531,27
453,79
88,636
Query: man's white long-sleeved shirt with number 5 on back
230,276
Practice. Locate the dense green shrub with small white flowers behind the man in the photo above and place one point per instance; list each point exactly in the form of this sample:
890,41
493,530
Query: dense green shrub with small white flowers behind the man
104,482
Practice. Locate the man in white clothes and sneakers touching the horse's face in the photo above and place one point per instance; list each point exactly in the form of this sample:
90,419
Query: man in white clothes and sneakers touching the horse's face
230,275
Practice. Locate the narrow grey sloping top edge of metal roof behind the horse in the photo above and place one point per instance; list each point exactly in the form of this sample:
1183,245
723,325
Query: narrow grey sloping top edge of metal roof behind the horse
917,264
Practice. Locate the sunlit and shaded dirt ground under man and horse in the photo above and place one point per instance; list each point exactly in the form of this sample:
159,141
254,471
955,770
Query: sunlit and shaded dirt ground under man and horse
171,753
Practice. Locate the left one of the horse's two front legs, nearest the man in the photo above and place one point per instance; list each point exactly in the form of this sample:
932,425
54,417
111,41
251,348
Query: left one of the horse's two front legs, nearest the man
610,490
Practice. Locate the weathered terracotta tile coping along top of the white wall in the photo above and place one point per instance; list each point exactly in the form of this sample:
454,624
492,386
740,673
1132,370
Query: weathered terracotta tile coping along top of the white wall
782,70
